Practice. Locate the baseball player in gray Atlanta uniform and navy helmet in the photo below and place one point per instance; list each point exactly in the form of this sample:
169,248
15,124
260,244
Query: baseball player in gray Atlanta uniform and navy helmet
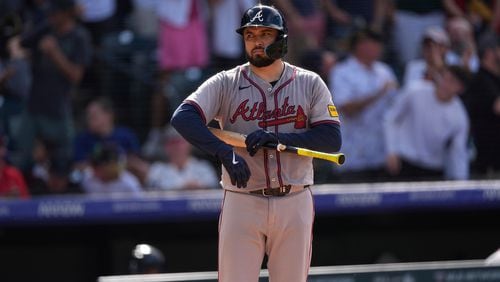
268,205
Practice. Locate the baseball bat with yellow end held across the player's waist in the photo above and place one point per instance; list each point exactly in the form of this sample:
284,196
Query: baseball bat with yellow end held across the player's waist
238,140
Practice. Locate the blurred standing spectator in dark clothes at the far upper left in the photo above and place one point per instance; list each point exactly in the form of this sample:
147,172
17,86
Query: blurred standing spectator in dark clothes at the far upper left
60,51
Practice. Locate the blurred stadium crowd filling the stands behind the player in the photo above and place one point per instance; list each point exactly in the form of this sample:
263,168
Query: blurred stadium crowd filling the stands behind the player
87,88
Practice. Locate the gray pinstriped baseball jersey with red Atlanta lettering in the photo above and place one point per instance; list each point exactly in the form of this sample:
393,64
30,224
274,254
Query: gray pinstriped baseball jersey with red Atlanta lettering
242,102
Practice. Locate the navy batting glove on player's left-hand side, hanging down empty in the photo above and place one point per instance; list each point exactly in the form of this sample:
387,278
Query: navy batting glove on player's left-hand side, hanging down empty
236,167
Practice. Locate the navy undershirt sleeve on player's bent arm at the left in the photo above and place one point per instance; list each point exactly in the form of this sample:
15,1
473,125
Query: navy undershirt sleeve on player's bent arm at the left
189,123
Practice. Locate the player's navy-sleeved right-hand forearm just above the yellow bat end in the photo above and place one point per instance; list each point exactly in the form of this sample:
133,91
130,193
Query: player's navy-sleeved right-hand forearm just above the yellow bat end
324,137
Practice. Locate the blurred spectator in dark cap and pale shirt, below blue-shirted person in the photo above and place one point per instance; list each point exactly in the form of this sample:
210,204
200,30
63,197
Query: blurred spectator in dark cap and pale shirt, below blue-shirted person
107,174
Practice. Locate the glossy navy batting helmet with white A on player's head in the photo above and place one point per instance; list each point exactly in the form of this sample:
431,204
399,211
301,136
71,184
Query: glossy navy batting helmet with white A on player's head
267,16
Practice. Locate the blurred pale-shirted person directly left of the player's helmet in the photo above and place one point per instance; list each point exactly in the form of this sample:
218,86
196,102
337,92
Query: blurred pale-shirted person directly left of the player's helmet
227,49
